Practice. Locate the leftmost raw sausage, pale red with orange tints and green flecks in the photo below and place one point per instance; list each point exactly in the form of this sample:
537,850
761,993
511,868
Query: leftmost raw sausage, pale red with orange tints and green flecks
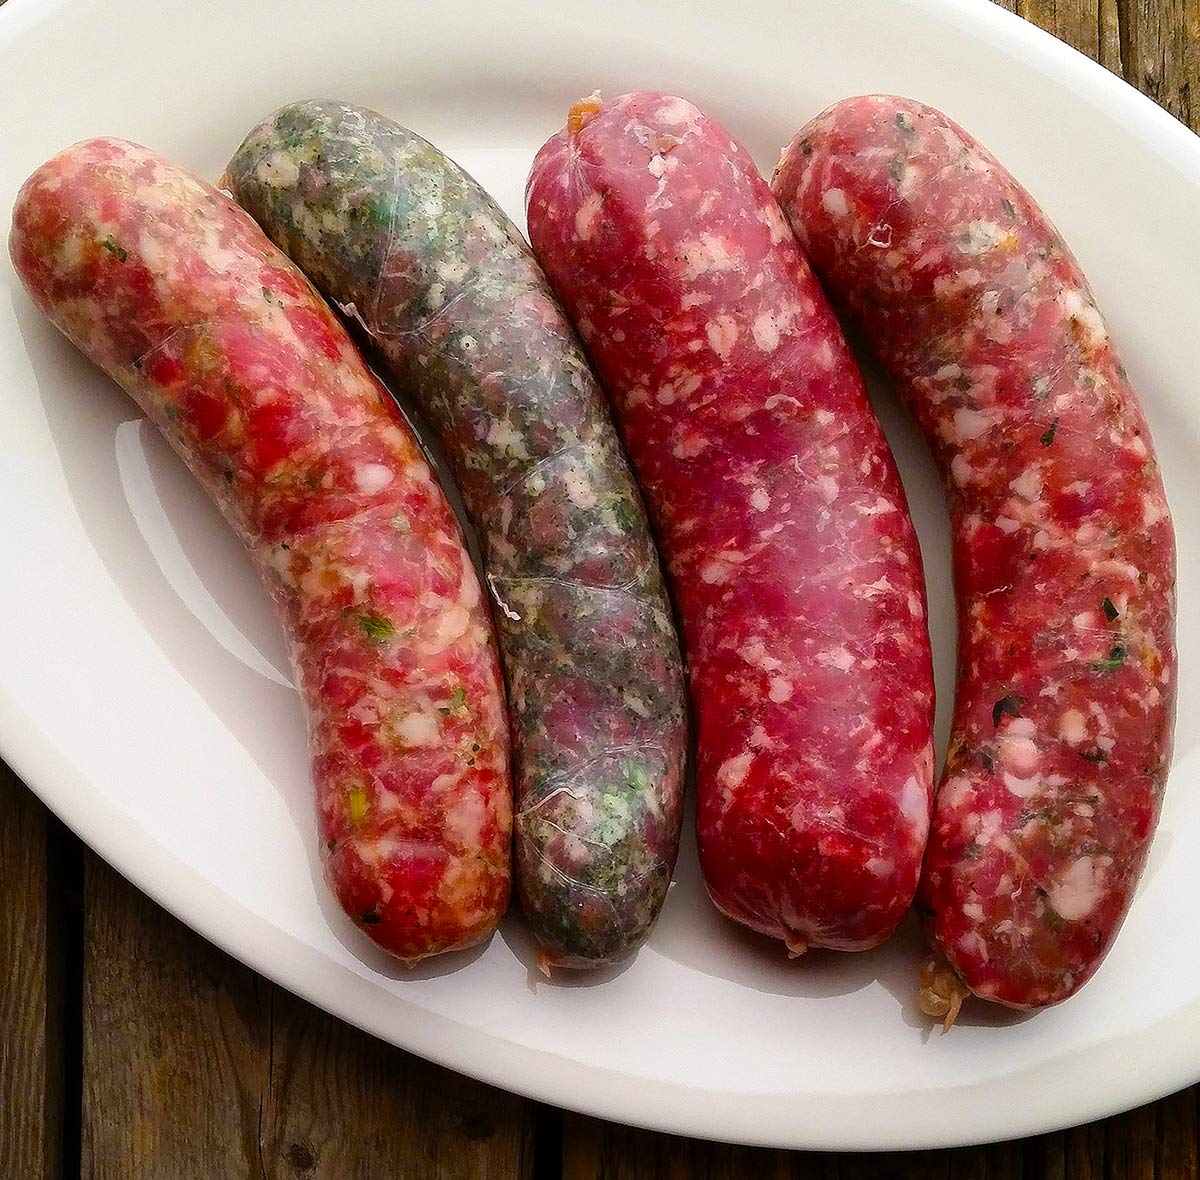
175,292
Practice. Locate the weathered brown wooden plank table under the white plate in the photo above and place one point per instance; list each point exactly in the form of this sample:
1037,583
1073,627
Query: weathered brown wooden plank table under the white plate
133,1050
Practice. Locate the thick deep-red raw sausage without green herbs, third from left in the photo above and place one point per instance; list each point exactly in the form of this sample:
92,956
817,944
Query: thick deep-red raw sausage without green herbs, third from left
783,519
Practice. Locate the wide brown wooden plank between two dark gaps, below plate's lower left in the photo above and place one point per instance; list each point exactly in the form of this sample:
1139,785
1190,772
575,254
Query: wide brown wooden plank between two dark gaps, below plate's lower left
196,1067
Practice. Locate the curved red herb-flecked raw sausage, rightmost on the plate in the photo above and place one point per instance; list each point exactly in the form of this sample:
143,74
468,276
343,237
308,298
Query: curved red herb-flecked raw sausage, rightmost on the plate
1064,550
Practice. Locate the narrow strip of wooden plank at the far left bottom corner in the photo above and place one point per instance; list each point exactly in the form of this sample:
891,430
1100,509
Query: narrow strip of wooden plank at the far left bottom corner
31,1038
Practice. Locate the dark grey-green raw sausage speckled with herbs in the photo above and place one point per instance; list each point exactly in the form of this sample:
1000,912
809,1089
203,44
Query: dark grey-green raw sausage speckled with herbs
401,237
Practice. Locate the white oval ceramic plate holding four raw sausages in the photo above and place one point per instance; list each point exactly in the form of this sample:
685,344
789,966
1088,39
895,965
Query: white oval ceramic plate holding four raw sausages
145,692
